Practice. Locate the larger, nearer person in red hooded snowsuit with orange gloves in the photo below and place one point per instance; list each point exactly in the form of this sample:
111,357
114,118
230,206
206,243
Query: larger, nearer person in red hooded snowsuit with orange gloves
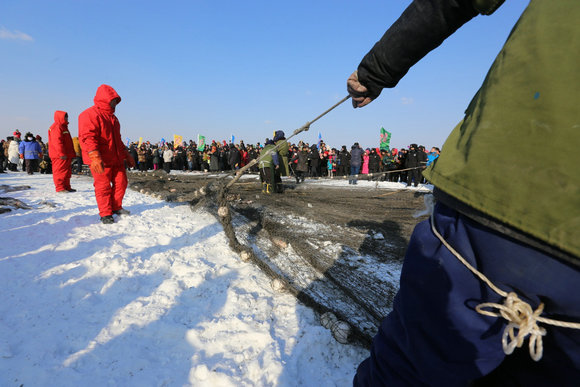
104,151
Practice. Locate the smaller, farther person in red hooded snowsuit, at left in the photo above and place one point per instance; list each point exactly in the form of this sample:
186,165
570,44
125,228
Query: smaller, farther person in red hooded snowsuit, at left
61,152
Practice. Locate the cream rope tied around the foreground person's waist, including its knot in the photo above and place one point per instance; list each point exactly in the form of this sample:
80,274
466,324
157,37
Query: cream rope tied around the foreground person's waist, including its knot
522,319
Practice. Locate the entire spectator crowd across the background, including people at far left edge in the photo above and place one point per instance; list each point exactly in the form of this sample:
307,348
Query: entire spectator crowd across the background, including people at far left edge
31,154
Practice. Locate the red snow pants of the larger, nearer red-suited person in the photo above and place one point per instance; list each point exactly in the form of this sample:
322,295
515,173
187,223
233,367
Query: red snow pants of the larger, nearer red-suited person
110,189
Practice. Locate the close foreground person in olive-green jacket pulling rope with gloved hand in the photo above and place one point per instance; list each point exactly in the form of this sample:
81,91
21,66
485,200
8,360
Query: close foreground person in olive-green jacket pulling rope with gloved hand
497,264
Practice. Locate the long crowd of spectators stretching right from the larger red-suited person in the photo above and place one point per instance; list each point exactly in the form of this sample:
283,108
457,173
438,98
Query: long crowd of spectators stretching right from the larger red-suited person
303,159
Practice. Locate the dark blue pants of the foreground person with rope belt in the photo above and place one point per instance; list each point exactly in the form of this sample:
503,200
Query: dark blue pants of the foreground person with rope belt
435,337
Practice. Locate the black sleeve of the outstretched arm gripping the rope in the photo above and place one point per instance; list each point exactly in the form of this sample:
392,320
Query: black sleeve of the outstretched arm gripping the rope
423,26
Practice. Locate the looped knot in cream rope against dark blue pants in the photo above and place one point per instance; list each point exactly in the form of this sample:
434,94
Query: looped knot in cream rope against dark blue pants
522,321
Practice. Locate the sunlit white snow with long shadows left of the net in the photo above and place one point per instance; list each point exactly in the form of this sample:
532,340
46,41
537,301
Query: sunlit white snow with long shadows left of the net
156,299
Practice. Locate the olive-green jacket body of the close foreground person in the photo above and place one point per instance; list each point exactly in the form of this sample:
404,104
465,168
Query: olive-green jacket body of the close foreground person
515,154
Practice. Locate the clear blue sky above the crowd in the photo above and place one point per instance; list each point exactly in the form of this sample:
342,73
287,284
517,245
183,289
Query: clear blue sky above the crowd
245,68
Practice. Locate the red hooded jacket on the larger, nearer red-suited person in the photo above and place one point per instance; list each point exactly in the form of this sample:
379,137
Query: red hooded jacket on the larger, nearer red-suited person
99,129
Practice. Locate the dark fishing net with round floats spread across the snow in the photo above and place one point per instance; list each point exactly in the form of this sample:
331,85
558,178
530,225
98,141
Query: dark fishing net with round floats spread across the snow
338,250
